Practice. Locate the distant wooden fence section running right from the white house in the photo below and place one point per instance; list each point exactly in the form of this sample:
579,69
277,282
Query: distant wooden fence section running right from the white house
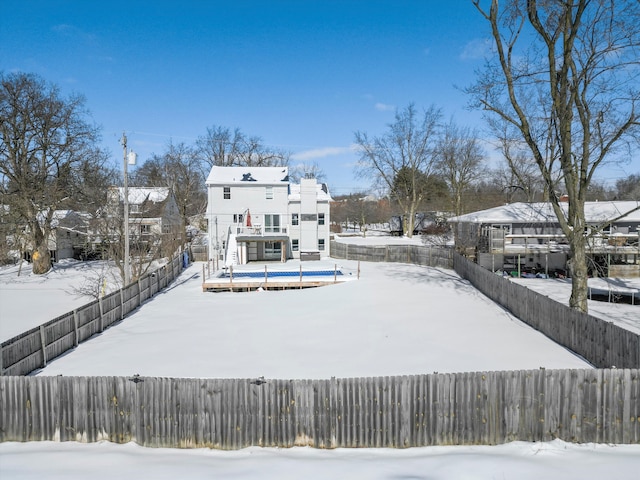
417,254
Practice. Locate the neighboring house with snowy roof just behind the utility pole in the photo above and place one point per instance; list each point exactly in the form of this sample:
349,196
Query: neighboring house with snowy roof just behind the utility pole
153,213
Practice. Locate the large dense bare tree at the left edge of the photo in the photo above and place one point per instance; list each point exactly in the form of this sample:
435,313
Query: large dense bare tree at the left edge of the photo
47,150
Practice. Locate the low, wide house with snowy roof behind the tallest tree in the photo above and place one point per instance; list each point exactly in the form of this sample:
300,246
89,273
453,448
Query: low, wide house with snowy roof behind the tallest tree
527,236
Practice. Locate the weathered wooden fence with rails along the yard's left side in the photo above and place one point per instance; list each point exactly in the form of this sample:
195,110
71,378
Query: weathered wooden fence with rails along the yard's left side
32,349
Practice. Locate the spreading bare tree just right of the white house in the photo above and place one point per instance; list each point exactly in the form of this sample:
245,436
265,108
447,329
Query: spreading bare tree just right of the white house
406,151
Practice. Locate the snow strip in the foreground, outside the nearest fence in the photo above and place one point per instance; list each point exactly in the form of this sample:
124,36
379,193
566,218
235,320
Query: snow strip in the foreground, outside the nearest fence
513,461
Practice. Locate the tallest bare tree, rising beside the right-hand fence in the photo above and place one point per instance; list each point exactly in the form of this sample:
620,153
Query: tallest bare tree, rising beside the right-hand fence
565,75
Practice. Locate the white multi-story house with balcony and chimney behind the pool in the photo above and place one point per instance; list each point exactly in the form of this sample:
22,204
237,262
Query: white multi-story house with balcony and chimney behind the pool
256,214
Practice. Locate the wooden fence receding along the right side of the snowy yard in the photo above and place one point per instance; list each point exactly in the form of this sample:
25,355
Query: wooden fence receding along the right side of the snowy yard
601,343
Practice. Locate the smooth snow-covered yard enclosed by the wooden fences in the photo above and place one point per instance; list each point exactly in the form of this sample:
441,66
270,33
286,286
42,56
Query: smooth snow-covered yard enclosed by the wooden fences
398,319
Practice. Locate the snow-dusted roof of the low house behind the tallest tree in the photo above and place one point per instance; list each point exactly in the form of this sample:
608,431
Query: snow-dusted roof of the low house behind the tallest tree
595,212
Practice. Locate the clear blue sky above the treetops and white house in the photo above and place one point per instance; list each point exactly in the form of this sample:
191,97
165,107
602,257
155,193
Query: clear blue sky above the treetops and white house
302,75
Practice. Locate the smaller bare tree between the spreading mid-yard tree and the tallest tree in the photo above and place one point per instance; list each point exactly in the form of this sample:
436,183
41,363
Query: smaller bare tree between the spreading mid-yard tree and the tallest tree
459,161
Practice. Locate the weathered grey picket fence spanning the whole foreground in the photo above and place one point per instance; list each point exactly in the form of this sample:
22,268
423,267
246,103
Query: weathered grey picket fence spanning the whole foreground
410,411
